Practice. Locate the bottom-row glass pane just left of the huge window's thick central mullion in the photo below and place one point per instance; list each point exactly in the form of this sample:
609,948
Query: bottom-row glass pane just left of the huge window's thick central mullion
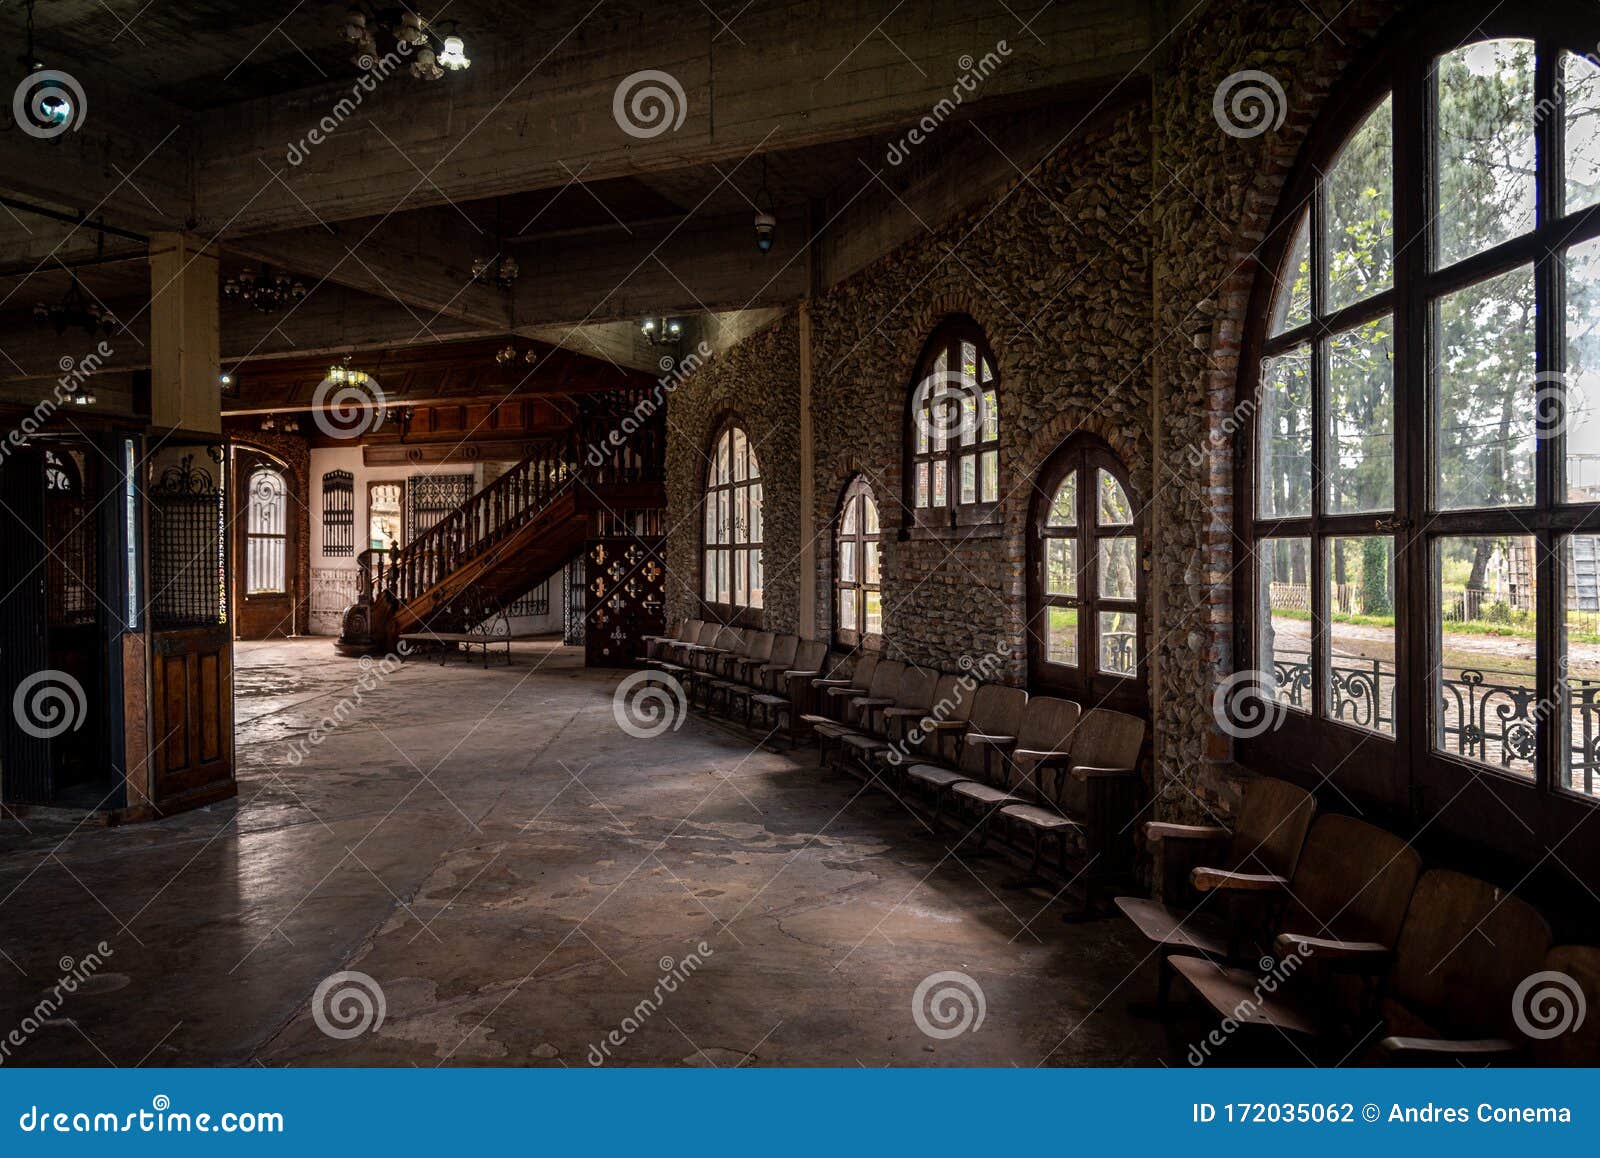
1361,684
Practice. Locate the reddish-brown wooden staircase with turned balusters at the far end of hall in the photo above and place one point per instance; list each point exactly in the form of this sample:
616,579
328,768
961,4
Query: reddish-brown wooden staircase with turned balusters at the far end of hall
506,540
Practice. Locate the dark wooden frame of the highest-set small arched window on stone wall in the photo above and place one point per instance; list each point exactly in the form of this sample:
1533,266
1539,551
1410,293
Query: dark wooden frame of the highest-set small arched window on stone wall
922,434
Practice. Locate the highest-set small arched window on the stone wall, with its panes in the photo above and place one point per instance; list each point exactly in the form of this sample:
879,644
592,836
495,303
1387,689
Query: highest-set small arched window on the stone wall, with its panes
953,431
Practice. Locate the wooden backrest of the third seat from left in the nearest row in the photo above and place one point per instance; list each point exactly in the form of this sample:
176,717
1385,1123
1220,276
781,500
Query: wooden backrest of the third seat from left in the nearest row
1463,951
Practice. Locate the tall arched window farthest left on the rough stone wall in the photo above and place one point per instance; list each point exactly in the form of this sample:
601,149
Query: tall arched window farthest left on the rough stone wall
732,564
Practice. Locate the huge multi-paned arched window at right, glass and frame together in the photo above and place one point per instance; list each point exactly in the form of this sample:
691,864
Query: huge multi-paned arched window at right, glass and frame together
1423,492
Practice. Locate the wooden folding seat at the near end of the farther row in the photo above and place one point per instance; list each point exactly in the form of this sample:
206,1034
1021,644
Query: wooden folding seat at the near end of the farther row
1086,797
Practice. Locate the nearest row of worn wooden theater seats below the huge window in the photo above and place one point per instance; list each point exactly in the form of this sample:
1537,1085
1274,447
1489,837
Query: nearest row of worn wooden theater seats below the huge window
1423,962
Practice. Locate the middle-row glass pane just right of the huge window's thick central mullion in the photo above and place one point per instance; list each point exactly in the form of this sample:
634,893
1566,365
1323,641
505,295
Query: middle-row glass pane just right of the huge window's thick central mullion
1486,410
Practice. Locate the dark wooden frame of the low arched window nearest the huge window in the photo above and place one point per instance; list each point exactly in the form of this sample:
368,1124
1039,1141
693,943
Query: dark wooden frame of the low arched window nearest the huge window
1086,457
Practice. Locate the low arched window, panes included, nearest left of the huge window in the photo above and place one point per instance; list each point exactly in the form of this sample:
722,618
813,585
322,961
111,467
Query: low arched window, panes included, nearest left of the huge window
1086,577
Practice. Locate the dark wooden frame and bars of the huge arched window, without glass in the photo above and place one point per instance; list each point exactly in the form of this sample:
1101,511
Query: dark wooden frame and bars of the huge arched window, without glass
1462,804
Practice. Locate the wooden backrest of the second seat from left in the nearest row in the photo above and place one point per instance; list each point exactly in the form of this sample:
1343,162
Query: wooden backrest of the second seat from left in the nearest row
1353,882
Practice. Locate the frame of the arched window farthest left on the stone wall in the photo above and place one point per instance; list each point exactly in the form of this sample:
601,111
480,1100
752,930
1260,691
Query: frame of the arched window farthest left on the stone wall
738,551
